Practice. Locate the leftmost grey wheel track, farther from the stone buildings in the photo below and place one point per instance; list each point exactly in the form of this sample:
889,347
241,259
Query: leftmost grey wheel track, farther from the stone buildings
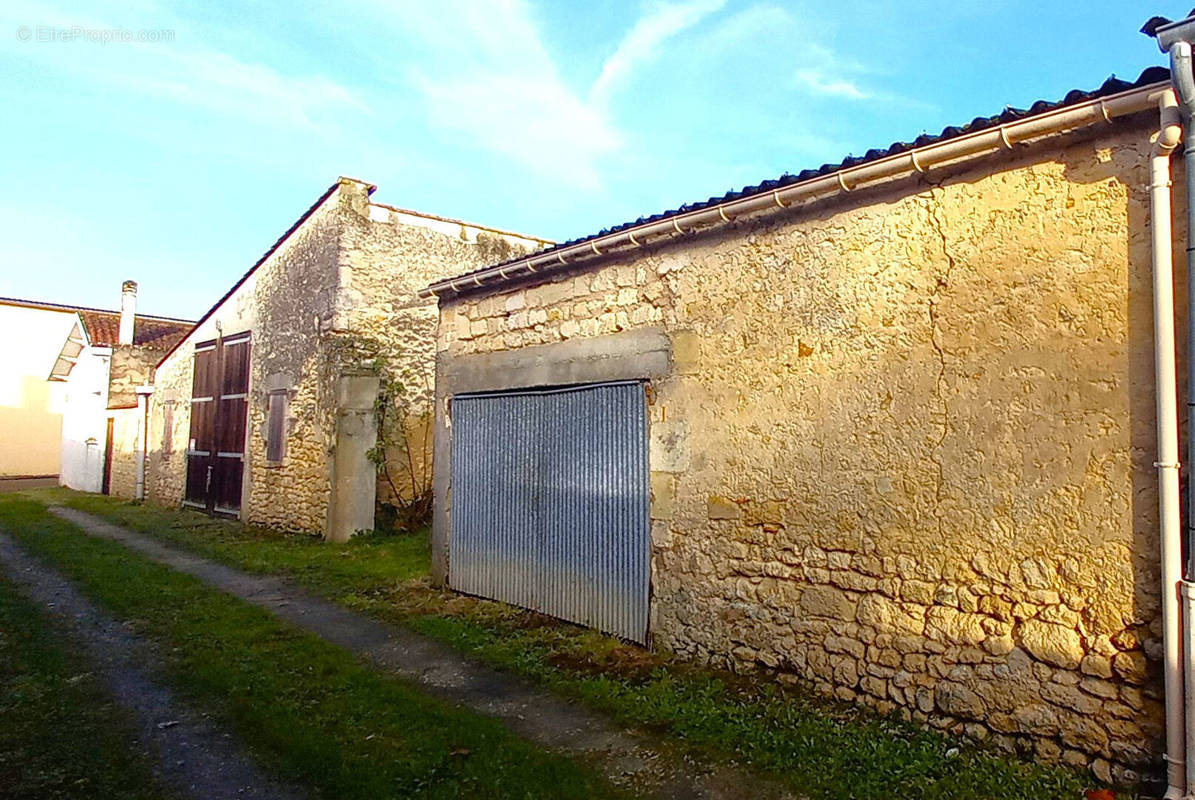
194,758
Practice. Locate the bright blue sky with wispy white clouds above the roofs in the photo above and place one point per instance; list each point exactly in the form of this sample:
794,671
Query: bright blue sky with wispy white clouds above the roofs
179,163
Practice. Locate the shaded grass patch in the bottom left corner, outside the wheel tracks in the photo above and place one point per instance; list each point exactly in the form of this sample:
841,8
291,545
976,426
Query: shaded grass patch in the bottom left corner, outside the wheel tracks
62,735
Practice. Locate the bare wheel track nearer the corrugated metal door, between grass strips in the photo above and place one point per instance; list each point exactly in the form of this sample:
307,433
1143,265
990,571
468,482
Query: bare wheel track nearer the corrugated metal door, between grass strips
627,758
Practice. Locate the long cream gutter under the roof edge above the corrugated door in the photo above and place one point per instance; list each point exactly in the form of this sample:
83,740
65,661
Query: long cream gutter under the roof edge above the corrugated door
921,160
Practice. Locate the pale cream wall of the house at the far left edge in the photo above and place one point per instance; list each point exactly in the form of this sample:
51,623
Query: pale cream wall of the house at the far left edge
30,406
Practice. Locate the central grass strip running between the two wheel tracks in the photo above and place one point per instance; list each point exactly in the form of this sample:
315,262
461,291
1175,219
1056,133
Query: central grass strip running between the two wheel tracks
308,710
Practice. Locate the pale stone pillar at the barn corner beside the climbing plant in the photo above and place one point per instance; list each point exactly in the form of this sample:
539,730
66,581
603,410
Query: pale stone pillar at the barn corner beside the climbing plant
354,477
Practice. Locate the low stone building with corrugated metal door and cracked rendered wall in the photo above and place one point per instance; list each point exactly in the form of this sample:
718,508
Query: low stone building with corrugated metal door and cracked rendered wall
900,422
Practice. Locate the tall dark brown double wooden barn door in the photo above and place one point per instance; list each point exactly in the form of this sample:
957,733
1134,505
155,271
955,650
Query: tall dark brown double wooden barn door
216,453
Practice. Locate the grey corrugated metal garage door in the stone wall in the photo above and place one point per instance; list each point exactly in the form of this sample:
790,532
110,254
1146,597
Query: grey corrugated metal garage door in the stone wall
550,504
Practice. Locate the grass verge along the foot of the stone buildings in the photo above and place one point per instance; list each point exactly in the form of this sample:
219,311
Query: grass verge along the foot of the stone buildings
822,749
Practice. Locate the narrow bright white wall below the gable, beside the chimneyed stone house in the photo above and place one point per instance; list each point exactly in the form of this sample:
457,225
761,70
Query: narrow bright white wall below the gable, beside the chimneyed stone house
85,422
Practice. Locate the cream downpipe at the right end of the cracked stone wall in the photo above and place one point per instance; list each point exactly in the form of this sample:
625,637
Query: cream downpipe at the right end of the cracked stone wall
1166,382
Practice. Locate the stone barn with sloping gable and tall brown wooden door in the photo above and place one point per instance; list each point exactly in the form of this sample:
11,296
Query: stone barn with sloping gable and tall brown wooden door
268,410
